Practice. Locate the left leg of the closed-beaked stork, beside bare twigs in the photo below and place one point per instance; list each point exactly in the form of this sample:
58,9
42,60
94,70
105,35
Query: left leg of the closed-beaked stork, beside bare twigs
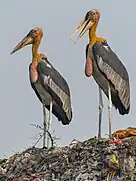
44,126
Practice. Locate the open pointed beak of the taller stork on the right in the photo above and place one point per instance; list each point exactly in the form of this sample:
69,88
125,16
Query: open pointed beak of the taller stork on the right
83,26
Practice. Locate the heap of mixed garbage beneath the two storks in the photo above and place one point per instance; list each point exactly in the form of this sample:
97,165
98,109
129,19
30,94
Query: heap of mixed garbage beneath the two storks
91,160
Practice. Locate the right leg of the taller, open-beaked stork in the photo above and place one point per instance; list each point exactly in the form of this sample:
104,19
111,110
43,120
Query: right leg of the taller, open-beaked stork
109,109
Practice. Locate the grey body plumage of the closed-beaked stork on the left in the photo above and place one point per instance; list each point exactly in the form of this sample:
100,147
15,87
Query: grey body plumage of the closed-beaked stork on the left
51,85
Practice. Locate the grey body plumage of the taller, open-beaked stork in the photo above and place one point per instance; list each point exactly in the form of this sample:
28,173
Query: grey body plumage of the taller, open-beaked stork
107,68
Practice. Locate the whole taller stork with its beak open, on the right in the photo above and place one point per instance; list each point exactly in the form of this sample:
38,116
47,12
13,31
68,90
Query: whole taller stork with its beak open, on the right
106,68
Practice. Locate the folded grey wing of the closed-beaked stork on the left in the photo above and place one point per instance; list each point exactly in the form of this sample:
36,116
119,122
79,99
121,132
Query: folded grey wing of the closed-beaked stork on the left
56,85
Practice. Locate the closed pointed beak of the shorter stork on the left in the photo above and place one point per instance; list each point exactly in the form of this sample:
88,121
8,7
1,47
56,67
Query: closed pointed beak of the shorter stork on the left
26,41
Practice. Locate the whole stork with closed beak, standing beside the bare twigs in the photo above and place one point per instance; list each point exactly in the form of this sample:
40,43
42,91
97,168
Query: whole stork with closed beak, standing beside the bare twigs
50,87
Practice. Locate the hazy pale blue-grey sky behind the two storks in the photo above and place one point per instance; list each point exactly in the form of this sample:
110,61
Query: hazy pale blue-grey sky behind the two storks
18,104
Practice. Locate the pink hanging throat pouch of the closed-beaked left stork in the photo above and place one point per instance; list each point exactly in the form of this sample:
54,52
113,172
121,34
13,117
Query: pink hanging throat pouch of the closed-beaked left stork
33,73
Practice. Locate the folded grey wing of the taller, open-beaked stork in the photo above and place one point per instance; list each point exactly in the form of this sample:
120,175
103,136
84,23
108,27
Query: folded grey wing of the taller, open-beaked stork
110,65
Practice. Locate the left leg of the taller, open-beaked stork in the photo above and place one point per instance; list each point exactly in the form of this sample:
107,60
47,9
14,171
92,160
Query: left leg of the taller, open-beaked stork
100,112
